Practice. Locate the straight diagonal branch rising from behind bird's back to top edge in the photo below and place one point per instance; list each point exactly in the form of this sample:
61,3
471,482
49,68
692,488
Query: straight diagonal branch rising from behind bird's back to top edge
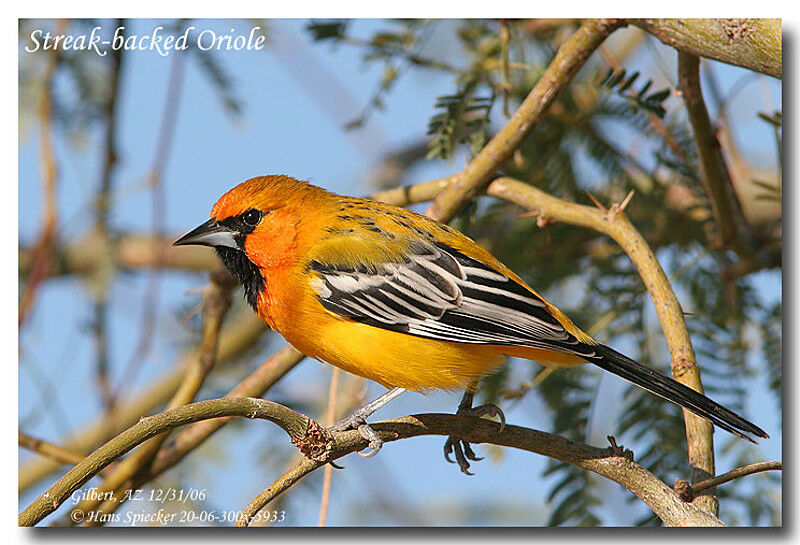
570,58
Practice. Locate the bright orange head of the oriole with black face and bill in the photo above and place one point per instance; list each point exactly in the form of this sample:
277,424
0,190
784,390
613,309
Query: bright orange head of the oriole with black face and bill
255,226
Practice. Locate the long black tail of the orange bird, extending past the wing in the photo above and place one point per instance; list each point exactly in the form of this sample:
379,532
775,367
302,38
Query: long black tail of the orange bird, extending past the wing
644,377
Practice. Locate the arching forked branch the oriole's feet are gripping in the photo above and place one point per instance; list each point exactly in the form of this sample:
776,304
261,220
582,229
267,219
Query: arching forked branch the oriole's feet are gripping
324,447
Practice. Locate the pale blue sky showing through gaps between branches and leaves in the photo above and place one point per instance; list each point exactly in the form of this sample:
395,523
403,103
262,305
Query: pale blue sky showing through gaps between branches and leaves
296,96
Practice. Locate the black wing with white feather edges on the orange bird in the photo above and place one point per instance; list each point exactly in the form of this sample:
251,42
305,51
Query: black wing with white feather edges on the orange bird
440,293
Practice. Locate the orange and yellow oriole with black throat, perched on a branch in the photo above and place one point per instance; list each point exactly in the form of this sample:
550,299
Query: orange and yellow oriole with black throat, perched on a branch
403,300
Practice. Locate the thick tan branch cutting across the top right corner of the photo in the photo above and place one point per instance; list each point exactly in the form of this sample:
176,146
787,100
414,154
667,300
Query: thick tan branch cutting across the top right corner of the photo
754,44
